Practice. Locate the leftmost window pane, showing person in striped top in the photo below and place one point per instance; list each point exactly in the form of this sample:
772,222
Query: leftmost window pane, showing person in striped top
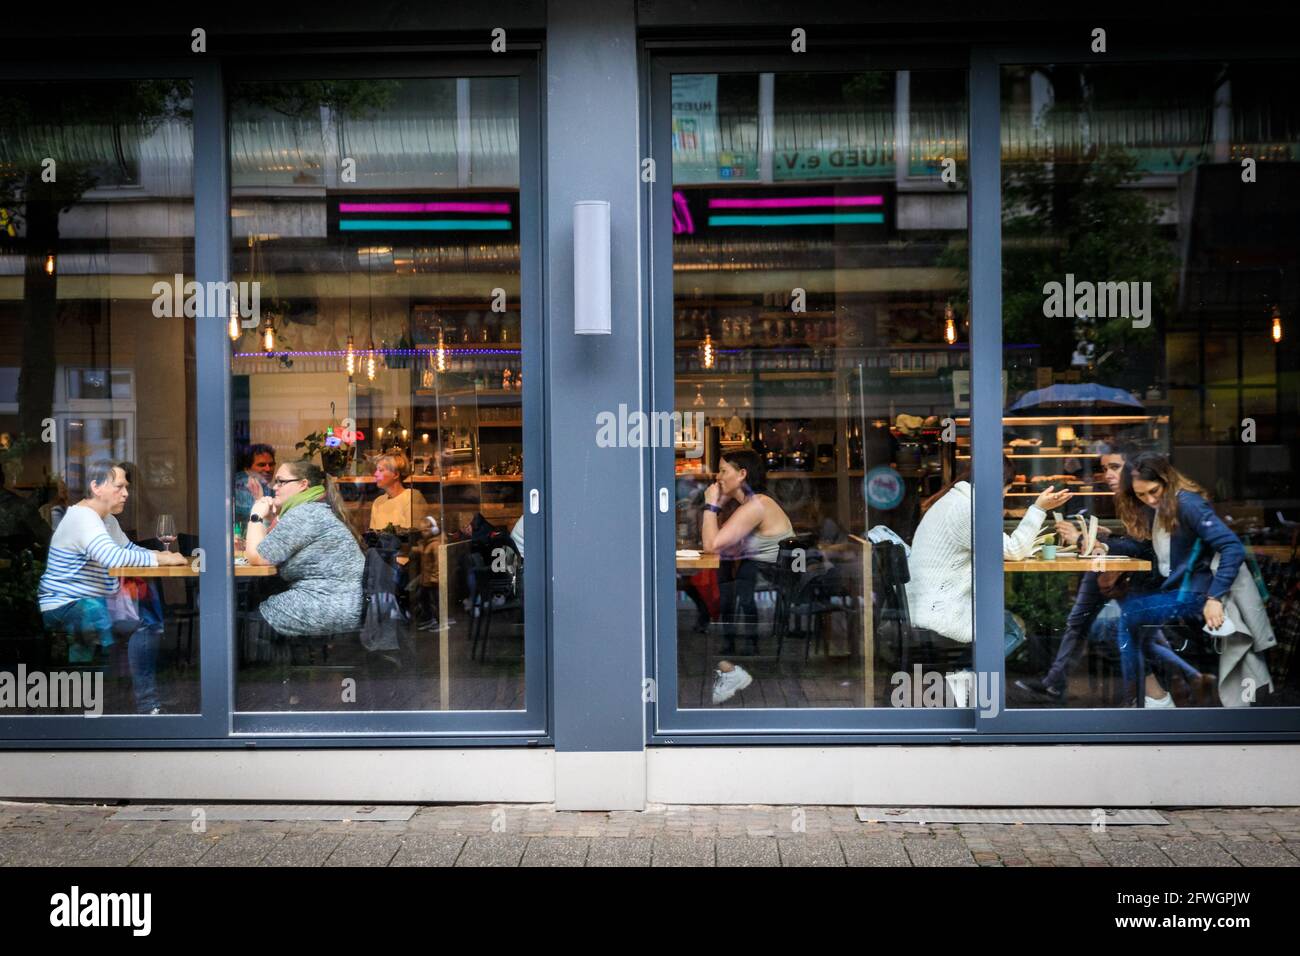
98,507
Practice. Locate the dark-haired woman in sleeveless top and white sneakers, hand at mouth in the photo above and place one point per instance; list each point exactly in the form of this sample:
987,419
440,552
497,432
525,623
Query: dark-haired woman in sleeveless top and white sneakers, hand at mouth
748,542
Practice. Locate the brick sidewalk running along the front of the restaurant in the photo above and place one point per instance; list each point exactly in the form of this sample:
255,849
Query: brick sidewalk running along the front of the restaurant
539,836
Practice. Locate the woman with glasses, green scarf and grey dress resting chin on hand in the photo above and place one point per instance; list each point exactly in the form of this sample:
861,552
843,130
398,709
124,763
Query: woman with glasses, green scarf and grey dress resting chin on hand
315,551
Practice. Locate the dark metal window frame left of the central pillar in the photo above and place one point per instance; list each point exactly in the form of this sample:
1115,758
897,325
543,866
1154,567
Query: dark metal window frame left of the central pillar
218,724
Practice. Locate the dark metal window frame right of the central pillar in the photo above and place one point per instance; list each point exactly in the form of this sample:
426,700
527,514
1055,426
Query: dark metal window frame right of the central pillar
673,725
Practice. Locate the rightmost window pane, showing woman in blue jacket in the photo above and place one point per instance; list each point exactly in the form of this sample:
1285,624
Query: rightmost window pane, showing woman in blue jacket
1150,253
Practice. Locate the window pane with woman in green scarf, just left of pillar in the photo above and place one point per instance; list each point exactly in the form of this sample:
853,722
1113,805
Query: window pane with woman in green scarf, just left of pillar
379,412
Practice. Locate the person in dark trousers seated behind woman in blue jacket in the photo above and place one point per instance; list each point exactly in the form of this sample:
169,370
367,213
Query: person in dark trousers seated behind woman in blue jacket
1089,602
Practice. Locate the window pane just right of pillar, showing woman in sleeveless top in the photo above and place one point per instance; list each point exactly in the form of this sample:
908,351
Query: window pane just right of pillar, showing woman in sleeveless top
822,358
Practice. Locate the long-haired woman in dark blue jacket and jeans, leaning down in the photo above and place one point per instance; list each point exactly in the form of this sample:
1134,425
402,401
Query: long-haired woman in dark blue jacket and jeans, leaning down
1171,521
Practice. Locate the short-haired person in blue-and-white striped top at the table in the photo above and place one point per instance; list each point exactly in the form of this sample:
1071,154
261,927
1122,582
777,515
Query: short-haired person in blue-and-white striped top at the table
76,585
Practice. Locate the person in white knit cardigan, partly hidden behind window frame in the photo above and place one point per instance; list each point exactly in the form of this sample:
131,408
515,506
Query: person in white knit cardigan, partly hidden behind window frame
941,565
